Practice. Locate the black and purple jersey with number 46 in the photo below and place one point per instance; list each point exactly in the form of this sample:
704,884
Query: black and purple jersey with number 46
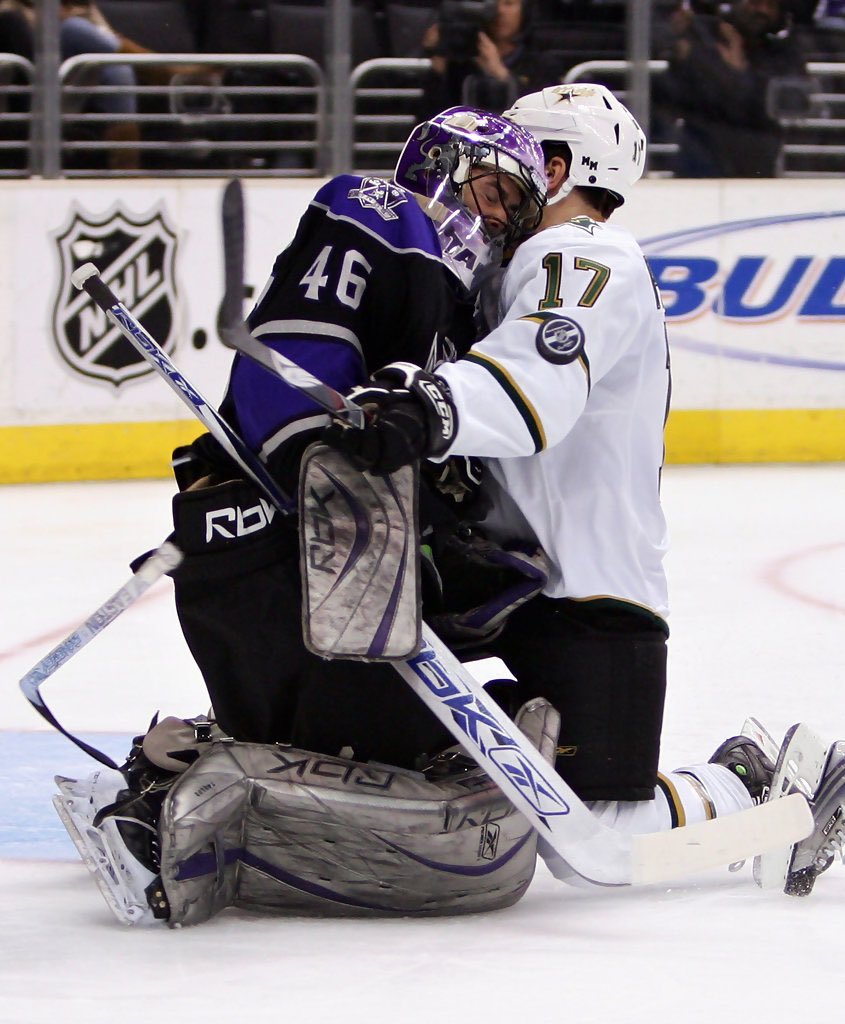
361,285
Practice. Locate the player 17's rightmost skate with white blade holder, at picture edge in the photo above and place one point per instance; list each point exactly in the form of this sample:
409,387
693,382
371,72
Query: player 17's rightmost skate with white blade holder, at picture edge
808,766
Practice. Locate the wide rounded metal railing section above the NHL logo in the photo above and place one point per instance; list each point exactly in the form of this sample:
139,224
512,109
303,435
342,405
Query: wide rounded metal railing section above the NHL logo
197,114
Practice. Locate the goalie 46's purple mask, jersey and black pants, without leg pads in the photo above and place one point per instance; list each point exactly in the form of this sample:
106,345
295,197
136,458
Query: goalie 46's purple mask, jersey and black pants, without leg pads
376,270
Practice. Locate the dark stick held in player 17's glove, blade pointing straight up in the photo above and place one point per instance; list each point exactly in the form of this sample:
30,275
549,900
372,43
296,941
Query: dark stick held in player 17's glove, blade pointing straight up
235,334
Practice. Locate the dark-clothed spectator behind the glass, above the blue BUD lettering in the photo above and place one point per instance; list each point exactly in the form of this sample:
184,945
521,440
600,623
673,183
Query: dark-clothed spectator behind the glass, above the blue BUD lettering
722,66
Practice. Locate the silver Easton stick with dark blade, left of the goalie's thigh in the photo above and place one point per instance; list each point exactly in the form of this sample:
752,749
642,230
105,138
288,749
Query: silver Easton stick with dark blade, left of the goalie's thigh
164,560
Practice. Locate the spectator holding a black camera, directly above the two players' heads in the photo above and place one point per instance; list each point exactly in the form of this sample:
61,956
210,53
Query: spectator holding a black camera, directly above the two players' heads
481,56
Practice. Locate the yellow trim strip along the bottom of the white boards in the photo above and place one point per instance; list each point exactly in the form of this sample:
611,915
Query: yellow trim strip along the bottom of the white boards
135,451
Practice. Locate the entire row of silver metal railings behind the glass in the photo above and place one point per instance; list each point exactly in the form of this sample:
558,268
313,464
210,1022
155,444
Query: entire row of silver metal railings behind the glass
206,115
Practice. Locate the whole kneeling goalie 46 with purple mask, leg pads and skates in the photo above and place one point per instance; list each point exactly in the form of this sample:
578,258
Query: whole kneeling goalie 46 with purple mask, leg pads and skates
377,271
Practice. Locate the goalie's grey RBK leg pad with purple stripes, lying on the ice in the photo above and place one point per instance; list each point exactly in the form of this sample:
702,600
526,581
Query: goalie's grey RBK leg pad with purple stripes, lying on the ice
277,830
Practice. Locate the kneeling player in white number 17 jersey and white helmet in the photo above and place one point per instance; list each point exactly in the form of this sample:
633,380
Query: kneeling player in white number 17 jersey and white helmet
566,402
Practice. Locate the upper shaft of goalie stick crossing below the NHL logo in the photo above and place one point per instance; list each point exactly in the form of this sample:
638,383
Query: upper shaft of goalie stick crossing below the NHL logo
88,278
